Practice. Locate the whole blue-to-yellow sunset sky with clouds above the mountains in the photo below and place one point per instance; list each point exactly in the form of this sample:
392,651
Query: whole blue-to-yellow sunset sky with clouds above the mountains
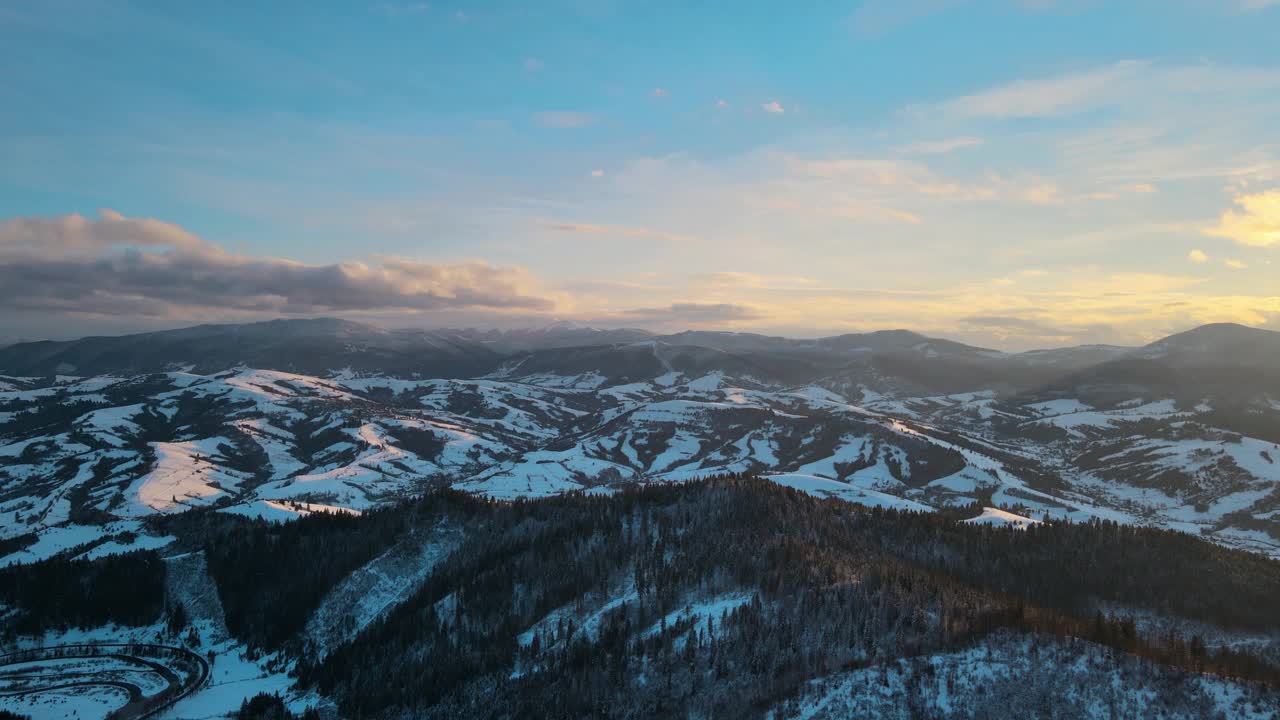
1009,174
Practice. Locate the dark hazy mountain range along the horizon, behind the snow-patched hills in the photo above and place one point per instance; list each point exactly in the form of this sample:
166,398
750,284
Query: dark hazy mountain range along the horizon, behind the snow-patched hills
1227,359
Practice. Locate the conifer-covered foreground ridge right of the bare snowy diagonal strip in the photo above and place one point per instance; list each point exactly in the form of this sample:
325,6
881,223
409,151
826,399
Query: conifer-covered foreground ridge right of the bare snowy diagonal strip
831,587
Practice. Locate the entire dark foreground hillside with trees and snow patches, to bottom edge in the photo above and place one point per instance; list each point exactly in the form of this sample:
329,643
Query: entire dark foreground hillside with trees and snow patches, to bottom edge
732,598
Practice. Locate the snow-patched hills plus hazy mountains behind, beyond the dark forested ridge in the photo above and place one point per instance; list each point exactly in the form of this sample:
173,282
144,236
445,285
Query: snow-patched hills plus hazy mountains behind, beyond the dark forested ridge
99,434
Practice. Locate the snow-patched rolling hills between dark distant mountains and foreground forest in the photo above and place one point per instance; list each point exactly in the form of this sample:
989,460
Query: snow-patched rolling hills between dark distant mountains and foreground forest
260,443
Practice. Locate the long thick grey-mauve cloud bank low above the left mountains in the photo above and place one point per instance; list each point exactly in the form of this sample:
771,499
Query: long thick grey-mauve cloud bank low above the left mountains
117,266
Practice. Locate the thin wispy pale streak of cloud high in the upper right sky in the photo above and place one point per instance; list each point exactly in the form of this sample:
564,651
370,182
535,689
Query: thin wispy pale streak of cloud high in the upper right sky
1060,95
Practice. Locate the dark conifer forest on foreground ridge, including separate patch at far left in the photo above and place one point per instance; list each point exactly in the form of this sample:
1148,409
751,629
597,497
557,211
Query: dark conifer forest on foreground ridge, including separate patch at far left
717,599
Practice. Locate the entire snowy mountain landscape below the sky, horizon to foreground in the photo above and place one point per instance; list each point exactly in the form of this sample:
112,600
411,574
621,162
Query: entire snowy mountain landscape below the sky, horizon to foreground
726,525
